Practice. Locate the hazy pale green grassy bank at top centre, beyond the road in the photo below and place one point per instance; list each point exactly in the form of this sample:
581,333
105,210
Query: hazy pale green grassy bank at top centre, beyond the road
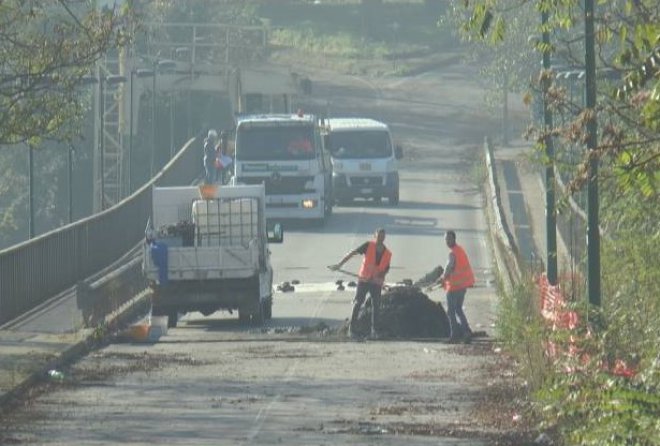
347,34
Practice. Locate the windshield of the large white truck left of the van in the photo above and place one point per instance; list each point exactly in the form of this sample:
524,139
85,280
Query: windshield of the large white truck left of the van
275,143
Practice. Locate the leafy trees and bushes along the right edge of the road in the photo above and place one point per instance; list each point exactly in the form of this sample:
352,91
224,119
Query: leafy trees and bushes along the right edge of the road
602,385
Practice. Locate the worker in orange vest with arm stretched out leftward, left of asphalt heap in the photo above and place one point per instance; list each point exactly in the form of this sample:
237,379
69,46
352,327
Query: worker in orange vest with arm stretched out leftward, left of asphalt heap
371,277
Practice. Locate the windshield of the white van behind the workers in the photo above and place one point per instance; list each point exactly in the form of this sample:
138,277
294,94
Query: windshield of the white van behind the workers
360,144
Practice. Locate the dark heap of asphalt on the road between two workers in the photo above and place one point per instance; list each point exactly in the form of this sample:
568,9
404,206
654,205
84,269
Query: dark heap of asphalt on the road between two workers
405,313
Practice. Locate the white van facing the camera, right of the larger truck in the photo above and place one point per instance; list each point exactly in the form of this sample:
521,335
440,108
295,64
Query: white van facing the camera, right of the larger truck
364,160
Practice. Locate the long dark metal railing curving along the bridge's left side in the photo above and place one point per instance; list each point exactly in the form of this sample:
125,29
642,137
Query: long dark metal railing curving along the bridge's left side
36,270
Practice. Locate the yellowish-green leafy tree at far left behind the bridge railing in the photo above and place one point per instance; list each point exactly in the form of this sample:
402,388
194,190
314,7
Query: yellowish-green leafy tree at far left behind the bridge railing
48,50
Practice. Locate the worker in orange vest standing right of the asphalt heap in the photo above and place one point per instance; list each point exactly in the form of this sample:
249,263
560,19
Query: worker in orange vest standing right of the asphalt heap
457,278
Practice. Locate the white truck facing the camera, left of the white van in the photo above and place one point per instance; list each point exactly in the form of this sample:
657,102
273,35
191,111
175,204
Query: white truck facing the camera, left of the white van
285,152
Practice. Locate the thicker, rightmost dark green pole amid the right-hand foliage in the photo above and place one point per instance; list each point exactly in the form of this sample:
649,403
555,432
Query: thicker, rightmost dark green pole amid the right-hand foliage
593,234
